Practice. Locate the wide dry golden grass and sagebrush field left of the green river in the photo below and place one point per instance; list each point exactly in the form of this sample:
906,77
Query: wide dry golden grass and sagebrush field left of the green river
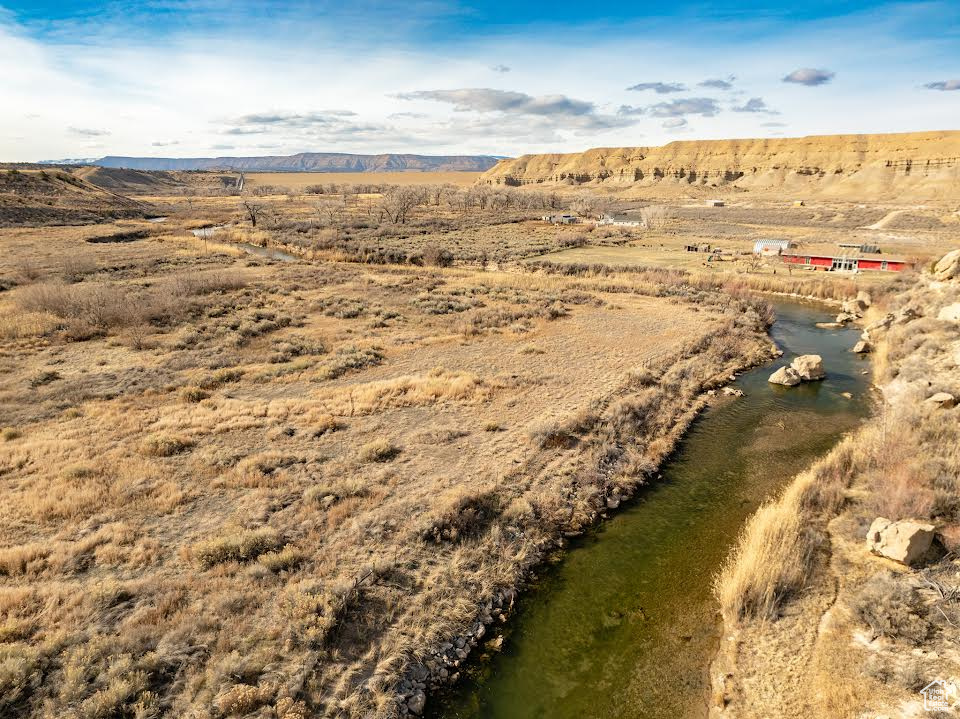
246,486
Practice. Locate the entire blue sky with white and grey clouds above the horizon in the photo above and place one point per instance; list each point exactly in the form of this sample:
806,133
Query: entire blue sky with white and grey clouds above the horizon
200,78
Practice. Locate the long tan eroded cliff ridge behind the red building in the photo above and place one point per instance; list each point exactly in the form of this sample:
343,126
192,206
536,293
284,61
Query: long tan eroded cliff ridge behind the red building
914,166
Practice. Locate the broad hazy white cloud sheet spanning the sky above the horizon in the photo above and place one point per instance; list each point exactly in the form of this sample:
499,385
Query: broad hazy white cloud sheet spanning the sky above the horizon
258,91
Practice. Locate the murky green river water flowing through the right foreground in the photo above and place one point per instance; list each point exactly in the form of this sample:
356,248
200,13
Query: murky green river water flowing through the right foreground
625,624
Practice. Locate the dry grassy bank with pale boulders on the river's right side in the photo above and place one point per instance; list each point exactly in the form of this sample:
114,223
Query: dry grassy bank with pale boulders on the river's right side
816,625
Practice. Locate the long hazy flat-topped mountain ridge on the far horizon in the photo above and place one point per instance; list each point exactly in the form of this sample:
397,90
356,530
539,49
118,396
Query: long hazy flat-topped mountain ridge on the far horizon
310,162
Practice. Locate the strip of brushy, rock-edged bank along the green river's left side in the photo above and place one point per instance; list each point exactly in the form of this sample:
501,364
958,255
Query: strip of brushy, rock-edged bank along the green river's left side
620,443
